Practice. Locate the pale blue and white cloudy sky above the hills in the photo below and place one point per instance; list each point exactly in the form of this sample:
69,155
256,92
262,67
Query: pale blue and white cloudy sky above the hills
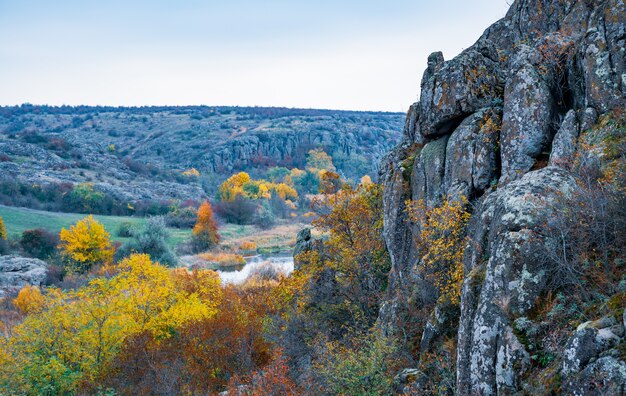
330,54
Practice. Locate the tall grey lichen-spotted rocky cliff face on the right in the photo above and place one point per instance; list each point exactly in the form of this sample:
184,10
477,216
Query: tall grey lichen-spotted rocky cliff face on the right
499,124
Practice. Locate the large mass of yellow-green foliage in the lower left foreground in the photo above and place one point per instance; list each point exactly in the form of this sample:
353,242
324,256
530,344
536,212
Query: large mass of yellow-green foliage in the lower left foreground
73,338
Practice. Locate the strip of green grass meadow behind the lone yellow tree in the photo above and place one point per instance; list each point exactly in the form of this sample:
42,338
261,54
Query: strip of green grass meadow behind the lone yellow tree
18,220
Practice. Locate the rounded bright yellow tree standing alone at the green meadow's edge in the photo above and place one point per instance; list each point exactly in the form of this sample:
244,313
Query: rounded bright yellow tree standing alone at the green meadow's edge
86,243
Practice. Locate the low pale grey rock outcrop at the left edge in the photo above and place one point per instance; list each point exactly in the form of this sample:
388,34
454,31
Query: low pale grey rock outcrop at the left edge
16,272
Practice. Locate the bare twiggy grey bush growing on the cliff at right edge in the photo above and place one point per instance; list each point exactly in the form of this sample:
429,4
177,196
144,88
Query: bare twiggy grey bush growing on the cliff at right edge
584,241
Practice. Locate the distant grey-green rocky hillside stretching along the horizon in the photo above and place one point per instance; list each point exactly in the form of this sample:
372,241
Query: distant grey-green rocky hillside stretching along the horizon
139,154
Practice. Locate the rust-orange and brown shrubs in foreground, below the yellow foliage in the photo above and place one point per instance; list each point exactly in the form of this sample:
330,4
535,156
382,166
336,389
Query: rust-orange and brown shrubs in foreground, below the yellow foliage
203,356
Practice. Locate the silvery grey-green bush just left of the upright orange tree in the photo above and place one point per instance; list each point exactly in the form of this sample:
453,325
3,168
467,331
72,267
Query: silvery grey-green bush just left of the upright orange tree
151,240
